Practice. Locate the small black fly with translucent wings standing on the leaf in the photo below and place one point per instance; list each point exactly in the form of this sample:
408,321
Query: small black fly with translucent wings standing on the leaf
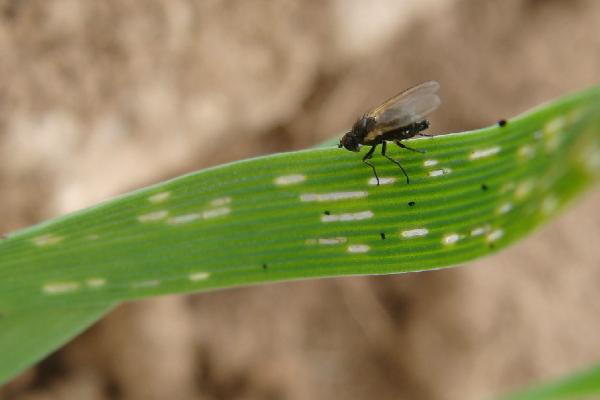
399,118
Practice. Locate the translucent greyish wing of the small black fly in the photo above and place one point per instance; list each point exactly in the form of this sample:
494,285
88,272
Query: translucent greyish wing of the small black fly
408,107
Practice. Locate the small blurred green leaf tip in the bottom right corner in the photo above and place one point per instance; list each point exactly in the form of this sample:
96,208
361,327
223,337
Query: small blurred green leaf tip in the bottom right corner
582,385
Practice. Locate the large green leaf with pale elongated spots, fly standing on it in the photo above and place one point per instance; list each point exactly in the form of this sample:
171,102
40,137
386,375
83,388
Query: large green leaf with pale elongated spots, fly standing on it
297,215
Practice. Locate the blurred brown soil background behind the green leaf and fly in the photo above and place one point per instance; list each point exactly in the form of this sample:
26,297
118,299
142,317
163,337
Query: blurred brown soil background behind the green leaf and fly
100,97
